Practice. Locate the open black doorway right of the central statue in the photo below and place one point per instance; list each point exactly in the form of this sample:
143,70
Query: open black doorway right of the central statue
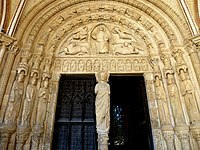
130,121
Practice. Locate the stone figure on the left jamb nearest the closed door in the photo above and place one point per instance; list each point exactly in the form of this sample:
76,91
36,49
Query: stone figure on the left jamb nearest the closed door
43,100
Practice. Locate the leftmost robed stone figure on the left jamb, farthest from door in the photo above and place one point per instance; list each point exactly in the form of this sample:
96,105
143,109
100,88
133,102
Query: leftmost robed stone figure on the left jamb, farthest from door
15,98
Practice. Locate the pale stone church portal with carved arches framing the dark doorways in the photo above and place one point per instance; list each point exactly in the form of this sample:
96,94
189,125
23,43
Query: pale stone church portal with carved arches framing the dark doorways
41,41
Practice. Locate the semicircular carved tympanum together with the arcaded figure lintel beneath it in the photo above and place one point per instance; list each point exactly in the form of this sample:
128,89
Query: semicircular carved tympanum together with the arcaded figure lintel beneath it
87,48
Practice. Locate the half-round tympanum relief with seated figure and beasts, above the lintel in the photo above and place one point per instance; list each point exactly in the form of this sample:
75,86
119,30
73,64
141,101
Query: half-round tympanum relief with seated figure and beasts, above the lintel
98,39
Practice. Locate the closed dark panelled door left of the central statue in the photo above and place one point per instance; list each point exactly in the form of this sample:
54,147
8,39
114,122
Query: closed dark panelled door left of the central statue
75,127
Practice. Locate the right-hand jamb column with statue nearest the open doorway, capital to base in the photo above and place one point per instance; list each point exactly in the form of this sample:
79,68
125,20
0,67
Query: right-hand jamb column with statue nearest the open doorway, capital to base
163,109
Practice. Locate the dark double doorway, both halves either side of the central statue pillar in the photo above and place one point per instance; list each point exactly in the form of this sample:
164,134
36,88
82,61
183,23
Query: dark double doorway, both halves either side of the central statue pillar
75,127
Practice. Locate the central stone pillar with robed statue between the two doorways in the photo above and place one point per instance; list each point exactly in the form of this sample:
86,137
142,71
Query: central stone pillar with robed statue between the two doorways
102,105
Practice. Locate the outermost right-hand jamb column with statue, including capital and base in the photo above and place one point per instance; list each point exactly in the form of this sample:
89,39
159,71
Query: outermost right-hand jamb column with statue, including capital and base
187,91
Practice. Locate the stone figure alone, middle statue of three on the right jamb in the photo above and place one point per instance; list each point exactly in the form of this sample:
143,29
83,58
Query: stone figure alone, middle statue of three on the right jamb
175,100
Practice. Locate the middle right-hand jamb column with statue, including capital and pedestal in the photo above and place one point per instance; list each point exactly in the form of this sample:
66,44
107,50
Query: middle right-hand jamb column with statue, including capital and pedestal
181,129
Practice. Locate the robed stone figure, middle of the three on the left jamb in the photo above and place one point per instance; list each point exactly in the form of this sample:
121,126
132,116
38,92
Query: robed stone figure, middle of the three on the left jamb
29,100
